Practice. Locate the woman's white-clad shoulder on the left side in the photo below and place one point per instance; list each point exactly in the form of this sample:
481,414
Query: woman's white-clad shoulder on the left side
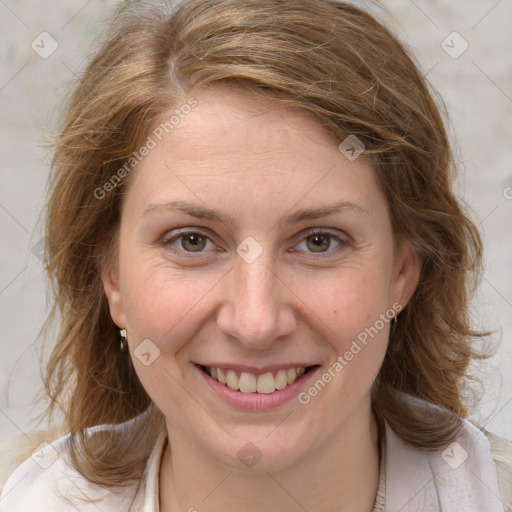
44,479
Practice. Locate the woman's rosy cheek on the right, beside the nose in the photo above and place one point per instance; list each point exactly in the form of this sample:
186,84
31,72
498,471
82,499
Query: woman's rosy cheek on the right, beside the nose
351,310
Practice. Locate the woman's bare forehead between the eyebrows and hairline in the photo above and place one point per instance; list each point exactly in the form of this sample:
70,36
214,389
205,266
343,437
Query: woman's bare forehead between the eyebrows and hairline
264,150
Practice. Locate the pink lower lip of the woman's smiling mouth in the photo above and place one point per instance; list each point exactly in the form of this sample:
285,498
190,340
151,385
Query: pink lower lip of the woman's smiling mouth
258,401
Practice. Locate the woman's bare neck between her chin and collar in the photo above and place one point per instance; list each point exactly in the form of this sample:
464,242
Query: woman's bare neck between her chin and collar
340,476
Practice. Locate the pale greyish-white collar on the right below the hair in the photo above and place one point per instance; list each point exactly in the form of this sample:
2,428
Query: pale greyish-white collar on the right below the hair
462,476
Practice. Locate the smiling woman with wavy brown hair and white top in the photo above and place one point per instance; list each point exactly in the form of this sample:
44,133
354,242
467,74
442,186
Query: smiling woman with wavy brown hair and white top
262,275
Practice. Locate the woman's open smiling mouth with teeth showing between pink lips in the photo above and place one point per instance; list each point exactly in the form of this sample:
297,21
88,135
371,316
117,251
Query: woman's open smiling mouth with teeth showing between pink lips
257,388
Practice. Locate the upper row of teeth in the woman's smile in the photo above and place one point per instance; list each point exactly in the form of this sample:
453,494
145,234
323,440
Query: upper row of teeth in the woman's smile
250,383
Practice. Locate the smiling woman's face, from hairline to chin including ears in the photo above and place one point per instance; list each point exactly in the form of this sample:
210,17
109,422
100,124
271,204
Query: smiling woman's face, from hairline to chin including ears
251,247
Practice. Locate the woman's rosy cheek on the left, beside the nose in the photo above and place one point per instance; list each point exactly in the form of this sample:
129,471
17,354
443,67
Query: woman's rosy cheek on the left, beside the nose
167,307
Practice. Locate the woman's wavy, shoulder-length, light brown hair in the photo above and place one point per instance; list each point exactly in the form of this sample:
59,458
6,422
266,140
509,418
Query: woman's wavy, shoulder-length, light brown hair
325,57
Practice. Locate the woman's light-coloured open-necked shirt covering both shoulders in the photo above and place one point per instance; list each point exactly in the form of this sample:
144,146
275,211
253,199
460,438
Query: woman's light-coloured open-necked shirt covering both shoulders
410,479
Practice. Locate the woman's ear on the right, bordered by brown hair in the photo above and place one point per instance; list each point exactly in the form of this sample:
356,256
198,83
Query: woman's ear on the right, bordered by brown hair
406,273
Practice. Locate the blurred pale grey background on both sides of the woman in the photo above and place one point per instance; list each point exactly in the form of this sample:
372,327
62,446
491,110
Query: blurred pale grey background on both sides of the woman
465,49
